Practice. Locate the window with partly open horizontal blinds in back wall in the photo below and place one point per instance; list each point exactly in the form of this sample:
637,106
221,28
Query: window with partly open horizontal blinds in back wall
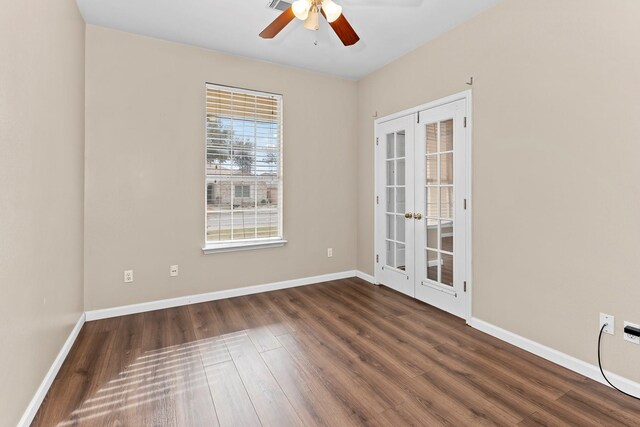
243,169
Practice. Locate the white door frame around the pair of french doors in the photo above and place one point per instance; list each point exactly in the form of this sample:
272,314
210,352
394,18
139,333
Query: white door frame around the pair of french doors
467,96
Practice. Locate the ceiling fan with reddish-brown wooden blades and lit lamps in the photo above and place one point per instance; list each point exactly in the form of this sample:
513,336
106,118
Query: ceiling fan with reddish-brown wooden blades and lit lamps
309,12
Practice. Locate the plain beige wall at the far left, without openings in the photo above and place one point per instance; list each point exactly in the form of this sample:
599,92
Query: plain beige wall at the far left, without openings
41,191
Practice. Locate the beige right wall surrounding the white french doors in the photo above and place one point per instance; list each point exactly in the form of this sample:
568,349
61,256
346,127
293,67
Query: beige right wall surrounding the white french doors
555,148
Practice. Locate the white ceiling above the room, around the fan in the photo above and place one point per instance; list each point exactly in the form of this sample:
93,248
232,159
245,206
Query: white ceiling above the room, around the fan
387,28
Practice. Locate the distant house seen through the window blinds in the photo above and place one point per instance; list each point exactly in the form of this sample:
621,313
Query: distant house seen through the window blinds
227,186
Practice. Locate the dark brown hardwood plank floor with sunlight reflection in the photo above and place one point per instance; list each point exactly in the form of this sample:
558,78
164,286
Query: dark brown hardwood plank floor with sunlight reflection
340,353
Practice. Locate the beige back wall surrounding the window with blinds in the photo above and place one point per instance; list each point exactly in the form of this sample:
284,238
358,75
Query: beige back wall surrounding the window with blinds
145,171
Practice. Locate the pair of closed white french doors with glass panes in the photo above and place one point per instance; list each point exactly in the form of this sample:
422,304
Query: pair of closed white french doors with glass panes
421,209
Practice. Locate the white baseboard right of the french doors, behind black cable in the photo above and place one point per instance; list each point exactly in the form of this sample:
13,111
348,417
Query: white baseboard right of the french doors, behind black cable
557,357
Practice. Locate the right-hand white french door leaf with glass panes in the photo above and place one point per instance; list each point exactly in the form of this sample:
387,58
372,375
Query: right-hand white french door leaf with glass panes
440,193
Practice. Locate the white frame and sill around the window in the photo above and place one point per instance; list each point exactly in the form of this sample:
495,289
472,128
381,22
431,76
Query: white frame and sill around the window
248,244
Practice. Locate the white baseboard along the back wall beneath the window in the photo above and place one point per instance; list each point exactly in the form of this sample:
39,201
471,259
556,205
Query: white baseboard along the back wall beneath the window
213,296
